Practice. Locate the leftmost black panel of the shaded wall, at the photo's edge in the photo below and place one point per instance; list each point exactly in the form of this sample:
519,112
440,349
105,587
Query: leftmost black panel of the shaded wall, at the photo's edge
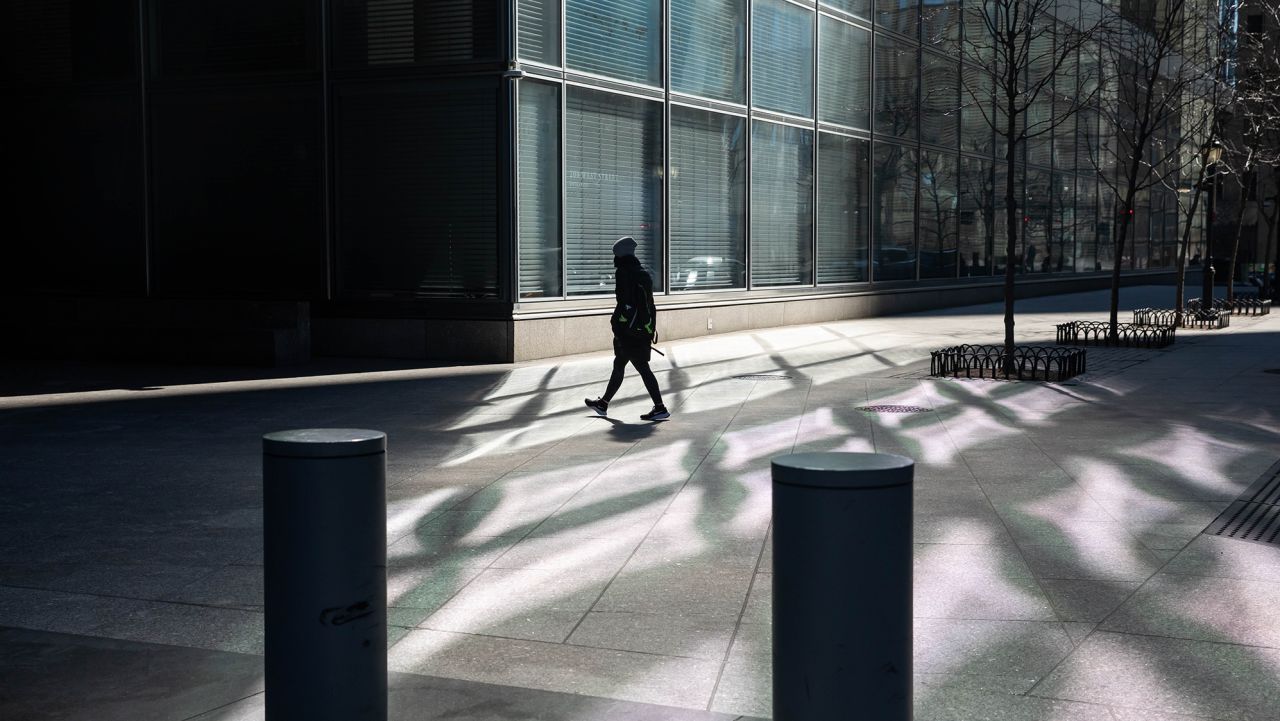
72,149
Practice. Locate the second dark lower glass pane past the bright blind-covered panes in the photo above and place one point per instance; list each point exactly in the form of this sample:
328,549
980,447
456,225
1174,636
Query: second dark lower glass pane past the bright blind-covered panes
939,209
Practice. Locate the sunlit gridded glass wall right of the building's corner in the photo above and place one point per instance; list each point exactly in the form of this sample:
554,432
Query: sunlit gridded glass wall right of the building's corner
858,149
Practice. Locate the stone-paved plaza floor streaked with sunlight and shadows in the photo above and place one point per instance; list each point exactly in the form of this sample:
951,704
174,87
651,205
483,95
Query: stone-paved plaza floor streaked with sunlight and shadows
548,564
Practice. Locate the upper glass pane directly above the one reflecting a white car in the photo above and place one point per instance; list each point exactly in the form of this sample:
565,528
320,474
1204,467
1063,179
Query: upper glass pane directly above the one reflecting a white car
708,48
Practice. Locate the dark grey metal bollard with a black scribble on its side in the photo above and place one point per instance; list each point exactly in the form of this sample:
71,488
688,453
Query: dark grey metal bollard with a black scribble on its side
324,533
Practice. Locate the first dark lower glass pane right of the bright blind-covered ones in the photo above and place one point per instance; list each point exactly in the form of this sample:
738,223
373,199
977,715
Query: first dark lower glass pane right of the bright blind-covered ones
894,213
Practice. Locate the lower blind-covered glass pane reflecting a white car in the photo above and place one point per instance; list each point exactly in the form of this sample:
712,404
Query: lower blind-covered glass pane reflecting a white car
708,200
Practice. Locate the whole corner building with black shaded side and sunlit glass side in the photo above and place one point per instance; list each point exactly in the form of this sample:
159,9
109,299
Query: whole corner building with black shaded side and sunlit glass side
444,179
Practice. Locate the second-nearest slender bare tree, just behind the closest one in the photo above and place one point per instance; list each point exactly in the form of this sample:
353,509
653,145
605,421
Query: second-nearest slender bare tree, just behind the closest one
1158,58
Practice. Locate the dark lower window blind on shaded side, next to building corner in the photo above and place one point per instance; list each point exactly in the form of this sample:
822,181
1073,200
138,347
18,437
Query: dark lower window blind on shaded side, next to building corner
417,190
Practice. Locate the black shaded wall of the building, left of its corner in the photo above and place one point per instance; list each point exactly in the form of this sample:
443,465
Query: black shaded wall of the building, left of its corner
342,153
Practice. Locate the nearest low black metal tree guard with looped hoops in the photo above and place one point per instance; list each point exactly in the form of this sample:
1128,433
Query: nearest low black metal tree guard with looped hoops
1031,363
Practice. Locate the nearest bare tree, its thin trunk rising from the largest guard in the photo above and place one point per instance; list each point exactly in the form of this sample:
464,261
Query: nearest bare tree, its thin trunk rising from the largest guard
1027,45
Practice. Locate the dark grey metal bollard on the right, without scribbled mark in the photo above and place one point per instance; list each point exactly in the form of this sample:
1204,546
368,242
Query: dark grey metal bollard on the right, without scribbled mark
843,587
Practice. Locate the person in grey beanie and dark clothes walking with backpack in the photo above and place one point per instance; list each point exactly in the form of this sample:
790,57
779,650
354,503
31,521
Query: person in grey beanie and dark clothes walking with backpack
634,323
